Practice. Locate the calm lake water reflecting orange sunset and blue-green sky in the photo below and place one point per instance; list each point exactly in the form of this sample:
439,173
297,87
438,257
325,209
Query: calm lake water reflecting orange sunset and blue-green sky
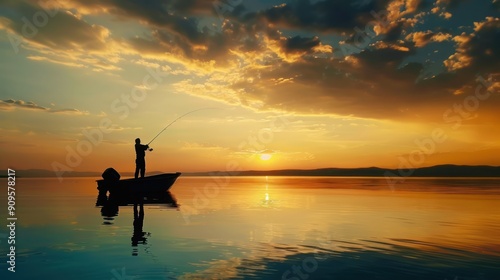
262,228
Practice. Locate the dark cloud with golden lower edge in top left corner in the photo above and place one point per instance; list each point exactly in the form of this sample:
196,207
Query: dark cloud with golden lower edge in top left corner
58,36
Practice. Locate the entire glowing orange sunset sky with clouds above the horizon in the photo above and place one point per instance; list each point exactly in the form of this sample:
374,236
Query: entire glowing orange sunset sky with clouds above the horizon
276,84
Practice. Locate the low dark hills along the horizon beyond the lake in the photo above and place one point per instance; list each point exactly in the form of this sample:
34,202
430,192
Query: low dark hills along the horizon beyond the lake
447,170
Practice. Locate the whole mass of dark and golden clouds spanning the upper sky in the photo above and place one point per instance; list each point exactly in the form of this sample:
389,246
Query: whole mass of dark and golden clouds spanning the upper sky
283,57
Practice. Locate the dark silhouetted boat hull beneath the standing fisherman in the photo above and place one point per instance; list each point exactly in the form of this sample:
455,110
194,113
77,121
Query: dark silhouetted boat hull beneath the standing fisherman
149,188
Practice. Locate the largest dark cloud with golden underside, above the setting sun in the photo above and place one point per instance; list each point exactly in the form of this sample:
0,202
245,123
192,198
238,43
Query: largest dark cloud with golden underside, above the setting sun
288,73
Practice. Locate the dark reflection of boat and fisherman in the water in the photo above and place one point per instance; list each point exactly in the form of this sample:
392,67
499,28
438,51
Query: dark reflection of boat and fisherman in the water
111,203
